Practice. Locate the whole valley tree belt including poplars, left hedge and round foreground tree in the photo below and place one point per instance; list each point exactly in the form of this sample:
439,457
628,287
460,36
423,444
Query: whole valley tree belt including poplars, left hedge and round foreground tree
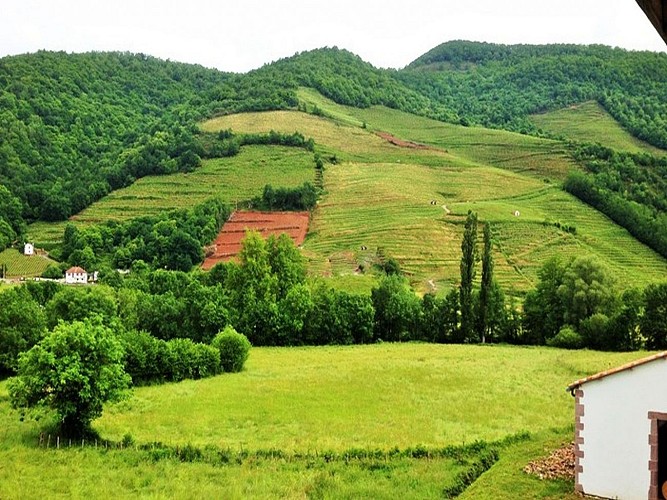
155,325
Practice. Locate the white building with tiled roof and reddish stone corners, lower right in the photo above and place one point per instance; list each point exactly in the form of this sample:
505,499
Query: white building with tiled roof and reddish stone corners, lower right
621,431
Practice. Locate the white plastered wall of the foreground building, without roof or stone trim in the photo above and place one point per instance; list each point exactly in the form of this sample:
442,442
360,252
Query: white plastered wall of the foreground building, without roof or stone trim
616,429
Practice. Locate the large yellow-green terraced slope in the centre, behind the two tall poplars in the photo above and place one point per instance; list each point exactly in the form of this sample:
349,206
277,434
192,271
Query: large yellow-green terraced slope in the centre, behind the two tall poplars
410,201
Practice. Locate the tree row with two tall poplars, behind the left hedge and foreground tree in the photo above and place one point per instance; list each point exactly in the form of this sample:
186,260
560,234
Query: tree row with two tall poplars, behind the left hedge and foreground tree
268,297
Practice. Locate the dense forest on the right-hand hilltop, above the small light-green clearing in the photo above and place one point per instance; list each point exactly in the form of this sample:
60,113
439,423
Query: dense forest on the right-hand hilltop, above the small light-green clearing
499,85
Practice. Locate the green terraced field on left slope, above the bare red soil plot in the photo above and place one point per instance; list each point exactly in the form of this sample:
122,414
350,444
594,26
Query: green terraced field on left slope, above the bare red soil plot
234,179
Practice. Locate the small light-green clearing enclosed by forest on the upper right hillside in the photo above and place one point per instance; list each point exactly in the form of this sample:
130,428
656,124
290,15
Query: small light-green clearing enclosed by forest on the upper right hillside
590,122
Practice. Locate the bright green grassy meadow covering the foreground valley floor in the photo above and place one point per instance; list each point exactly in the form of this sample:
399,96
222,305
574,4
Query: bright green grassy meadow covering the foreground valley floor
312,408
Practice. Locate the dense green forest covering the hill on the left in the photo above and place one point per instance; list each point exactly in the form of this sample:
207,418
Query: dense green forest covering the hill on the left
75,127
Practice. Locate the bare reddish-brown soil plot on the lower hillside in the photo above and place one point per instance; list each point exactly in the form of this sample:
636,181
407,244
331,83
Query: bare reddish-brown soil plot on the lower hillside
228,243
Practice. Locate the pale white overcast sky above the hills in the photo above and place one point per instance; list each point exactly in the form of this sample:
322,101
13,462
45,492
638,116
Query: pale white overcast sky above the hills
245,34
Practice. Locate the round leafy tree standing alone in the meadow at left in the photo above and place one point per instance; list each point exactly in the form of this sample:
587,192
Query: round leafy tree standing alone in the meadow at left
72,371
